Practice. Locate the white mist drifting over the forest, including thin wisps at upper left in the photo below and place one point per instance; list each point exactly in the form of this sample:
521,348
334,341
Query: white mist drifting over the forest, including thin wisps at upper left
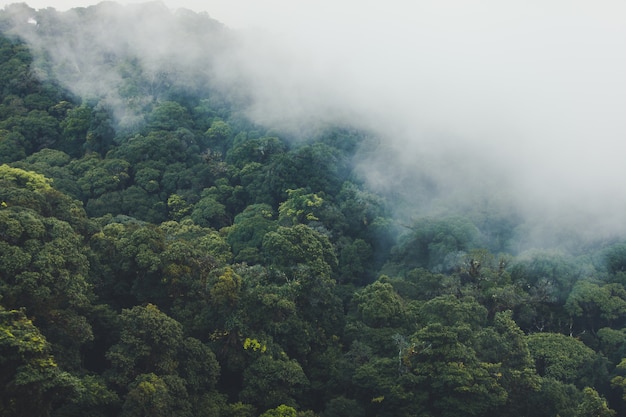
476,106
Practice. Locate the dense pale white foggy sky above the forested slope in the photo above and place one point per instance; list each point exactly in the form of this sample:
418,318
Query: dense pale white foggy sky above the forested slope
522,98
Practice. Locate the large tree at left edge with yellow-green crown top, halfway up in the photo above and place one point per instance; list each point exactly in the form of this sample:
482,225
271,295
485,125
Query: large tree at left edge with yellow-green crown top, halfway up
43,262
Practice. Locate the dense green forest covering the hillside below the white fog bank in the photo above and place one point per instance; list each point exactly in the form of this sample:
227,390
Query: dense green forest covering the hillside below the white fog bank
161,254
